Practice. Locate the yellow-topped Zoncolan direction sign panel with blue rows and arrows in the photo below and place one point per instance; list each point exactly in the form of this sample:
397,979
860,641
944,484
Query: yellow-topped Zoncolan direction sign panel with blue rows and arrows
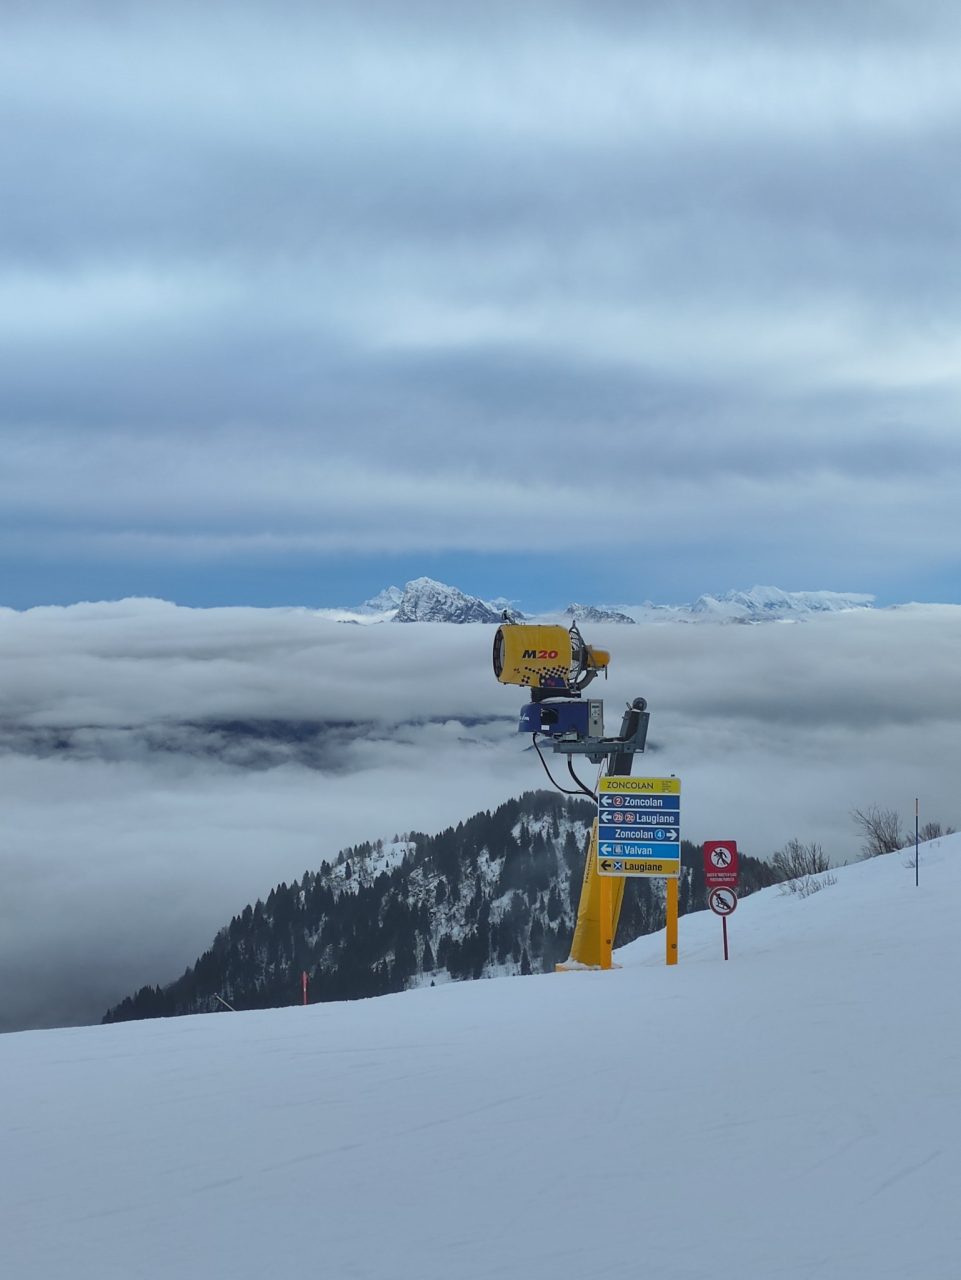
639,826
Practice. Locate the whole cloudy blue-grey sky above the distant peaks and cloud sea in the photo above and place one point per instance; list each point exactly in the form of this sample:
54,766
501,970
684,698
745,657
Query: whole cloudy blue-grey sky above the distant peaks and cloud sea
553,301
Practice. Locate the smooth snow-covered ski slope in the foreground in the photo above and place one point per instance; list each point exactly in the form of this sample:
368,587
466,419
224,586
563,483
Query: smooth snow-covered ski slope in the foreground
790,1114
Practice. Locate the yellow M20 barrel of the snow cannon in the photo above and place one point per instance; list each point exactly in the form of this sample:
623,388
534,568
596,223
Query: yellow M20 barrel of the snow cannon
546,657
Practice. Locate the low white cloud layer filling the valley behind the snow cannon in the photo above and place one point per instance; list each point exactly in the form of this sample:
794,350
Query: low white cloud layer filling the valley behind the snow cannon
163,767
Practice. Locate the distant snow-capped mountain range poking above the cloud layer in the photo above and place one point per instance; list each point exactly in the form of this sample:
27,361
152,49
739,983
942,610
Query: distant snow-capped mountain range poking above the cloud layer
427,601
